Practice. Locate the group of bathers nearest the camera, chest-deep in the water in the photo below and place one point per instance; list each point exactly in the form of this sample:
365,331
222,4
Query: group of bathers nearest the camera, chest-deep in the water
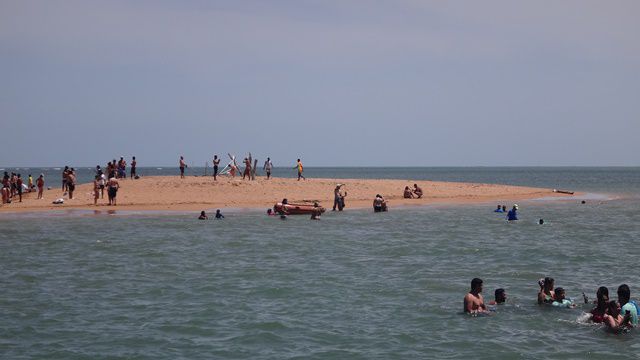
616,315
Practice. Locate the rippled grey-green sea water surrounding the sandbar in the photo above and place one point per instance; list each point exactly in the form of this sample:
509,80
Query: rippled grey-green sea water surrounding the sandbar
355,285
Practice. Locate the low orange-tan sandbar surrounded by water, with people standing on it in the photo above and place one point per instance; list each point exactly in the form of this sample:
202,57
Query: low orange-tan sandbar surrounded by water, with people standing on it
170,193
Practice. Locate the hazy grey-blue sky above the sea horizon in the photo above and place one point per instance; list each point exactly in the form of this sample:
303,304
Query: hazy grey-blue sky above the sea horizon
345,83
